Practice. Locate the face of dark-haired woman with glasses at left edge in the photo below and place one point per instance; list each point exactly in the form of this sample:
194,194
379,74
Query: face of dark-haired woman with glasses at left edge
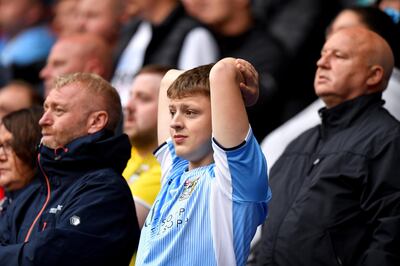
14,173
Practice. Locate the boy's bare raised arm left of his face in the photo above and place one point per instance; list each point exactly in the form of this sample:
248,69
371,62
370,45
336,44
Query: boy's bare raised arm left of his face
164,117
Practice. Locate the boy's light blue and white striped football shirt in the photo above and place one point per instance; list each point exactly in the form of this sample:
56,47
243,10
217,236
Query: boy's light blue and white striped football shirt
208,215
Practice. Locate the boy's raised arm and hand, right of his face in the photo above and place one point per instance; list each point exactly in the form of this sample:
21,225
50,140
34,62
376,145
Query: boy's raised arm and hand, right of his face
233,85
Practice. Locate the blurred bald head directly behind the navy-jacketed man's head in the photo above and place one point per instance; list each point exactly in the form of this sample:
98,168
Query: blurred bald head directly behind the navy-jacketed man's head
82,52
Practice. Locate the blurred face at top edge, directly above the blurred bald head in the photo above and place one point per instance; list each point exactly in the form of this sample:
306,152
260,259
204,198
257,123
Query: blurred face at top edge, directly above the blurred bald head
100,17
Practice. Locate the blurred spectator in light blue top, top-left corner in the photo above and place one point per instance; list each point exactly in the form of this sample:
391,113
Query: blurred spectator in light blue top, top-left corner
27,39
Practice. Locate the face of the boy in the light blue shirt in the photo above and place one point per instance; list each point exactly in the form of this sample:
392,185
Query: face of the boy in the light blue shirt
191,128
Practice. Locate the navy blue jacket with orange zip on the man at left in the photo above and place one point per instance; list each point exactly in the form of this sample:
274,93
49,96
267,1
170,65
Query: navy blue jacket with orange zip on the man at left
78,211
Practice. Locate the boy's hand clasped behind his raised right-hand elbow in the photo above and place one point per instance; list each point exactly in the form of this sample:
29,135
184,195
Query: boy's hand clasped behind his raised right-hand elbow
249,86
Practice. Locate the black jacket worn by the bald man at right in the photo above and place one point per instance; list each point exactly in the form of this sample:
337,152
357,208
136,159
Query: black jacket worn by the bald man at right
336,191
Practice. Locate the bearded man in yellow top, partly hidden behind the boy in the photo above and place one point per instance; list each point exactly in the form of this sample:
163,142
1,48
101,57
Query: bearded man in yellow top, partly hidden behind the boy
143,172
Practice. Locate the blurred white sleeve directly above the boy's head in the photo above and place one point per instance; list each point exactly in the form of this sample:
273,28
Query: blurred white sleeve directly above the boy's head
199,48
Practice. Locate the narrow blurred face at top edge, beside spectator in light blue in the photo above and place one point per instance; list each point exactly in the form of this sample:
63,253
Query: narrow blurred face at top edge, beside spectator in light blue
65,20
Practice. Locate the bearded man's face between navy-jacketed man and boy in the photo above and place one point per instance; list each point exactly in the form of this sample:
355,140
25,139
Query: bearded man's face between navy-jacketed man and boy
140,120
